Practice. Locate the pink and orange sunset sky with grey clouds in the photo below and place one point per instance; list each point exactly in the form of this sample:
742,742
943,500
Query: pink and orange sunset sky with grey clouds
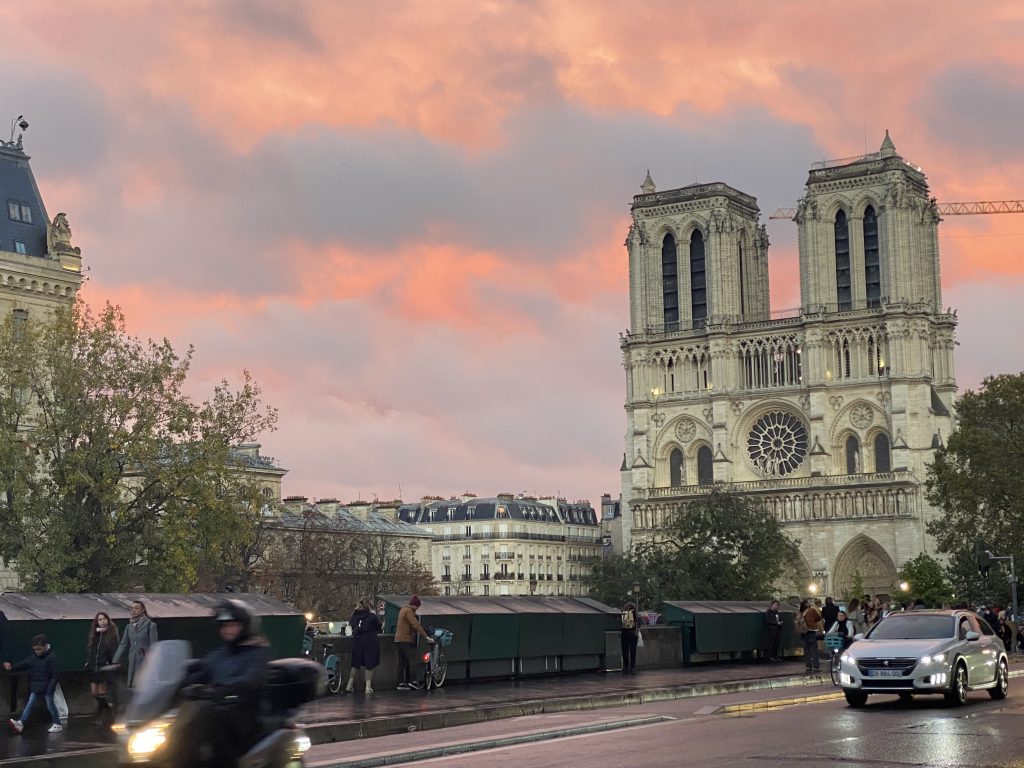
407,219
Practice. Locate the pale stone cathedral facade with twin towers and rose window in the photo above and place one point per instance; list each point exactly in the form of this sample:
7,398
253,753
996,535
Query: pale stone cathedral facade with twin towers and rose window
829,415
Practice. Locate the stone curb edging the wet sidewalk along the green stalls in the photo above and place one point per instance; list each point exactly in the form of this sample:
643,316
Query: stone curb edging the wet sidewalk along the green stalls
388,727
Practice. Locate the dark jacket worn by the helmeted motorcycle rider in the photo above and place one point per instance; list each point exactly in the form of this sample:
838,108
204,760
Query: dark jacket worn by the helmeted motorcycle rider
235,674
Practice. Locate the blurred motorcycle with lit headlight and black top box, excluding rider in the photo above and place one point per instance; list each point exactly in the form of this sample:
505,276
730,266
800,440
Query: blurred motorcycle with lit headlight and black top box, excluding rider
146,729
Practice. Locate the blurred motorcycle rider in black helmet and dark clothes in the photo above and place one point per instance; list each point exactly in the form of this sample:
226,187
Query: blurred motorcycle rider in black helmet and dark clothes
221,720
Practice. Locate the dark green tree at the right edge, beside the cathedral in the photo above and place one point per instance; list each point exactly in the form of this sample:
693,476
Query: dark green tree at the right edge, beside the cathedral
976,479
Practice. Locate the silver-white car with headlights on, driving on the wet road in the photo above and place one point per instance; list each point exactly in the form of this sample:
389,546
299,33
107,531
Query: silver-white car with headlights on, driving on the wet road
925,652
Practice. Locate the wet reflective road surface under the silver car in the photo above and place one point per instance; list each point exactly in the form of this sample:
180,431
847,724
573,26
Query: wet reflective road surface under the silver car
887,733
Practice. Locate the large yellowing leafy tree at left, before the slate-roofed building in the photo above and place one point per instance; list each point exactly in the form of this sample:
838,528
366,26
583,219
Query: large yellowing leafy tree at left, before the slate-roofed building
114,479
